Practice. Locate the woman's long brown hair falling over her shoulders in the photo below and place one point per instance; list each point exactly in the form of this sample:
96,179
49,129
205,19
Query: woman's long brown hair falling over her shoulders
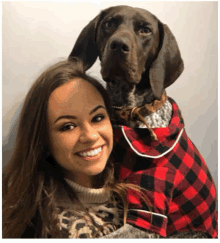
32,177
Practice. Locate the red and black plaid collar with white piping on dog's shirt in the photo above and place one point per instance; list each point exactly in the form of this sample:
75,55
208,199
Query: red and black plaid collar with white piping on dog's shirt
139,138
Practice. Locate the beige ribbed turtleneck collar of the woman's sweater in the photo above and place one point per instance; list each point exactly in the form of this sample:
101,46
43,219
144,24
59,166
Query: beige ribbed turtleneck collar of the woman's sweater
89,195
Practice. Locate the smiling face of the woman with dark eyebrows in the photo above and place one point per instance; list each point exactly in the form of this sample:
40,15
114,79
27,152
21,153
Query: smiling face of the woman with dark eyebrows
80,131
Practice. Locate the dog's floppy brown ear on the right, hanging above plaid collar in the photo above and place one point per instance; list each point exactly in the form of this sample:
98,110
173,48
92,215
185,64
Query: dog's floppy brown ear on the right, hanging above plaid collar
168,65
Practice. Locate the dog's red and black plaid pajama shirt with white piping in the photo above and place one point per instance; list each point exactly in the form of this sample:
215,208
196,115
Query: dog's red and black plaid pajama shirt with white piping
178,184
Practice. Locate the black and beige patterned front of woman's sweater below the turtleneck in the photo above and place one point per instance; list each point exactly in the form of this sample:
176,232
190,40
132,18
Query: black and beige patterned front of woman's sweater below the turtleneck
101,220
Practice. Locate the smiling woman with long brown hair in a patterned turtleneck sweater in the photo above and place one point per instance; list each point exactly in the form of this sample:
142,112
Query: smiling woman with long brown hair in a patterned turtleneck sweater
60,179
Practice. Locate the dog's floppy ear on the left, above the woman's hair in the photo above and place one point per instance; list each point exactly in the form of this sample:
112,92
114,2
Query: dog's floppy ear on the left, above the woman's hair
85,47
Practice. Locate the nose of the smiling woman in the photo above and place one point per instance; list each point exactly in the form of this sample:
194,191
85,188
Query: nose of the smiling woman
88,134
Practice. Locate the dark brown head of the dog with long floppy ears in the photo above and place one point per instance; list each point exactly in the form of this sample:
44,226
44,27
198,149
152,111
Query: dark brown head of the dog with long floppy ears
134,47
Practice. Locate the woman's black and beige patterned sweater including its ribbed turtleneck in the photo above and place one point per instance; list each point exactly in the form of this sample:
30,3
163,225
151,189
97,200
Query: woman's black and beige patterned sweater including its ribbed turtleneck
104,213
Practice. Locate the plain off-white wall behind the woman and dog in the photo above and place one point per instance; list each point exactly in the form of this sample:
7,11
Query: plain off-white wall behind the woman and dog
36,34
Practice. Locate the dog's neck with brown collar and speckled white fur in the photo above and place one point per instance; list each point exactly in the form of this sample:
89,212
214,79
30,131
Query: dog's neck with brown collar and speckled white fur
149,113
